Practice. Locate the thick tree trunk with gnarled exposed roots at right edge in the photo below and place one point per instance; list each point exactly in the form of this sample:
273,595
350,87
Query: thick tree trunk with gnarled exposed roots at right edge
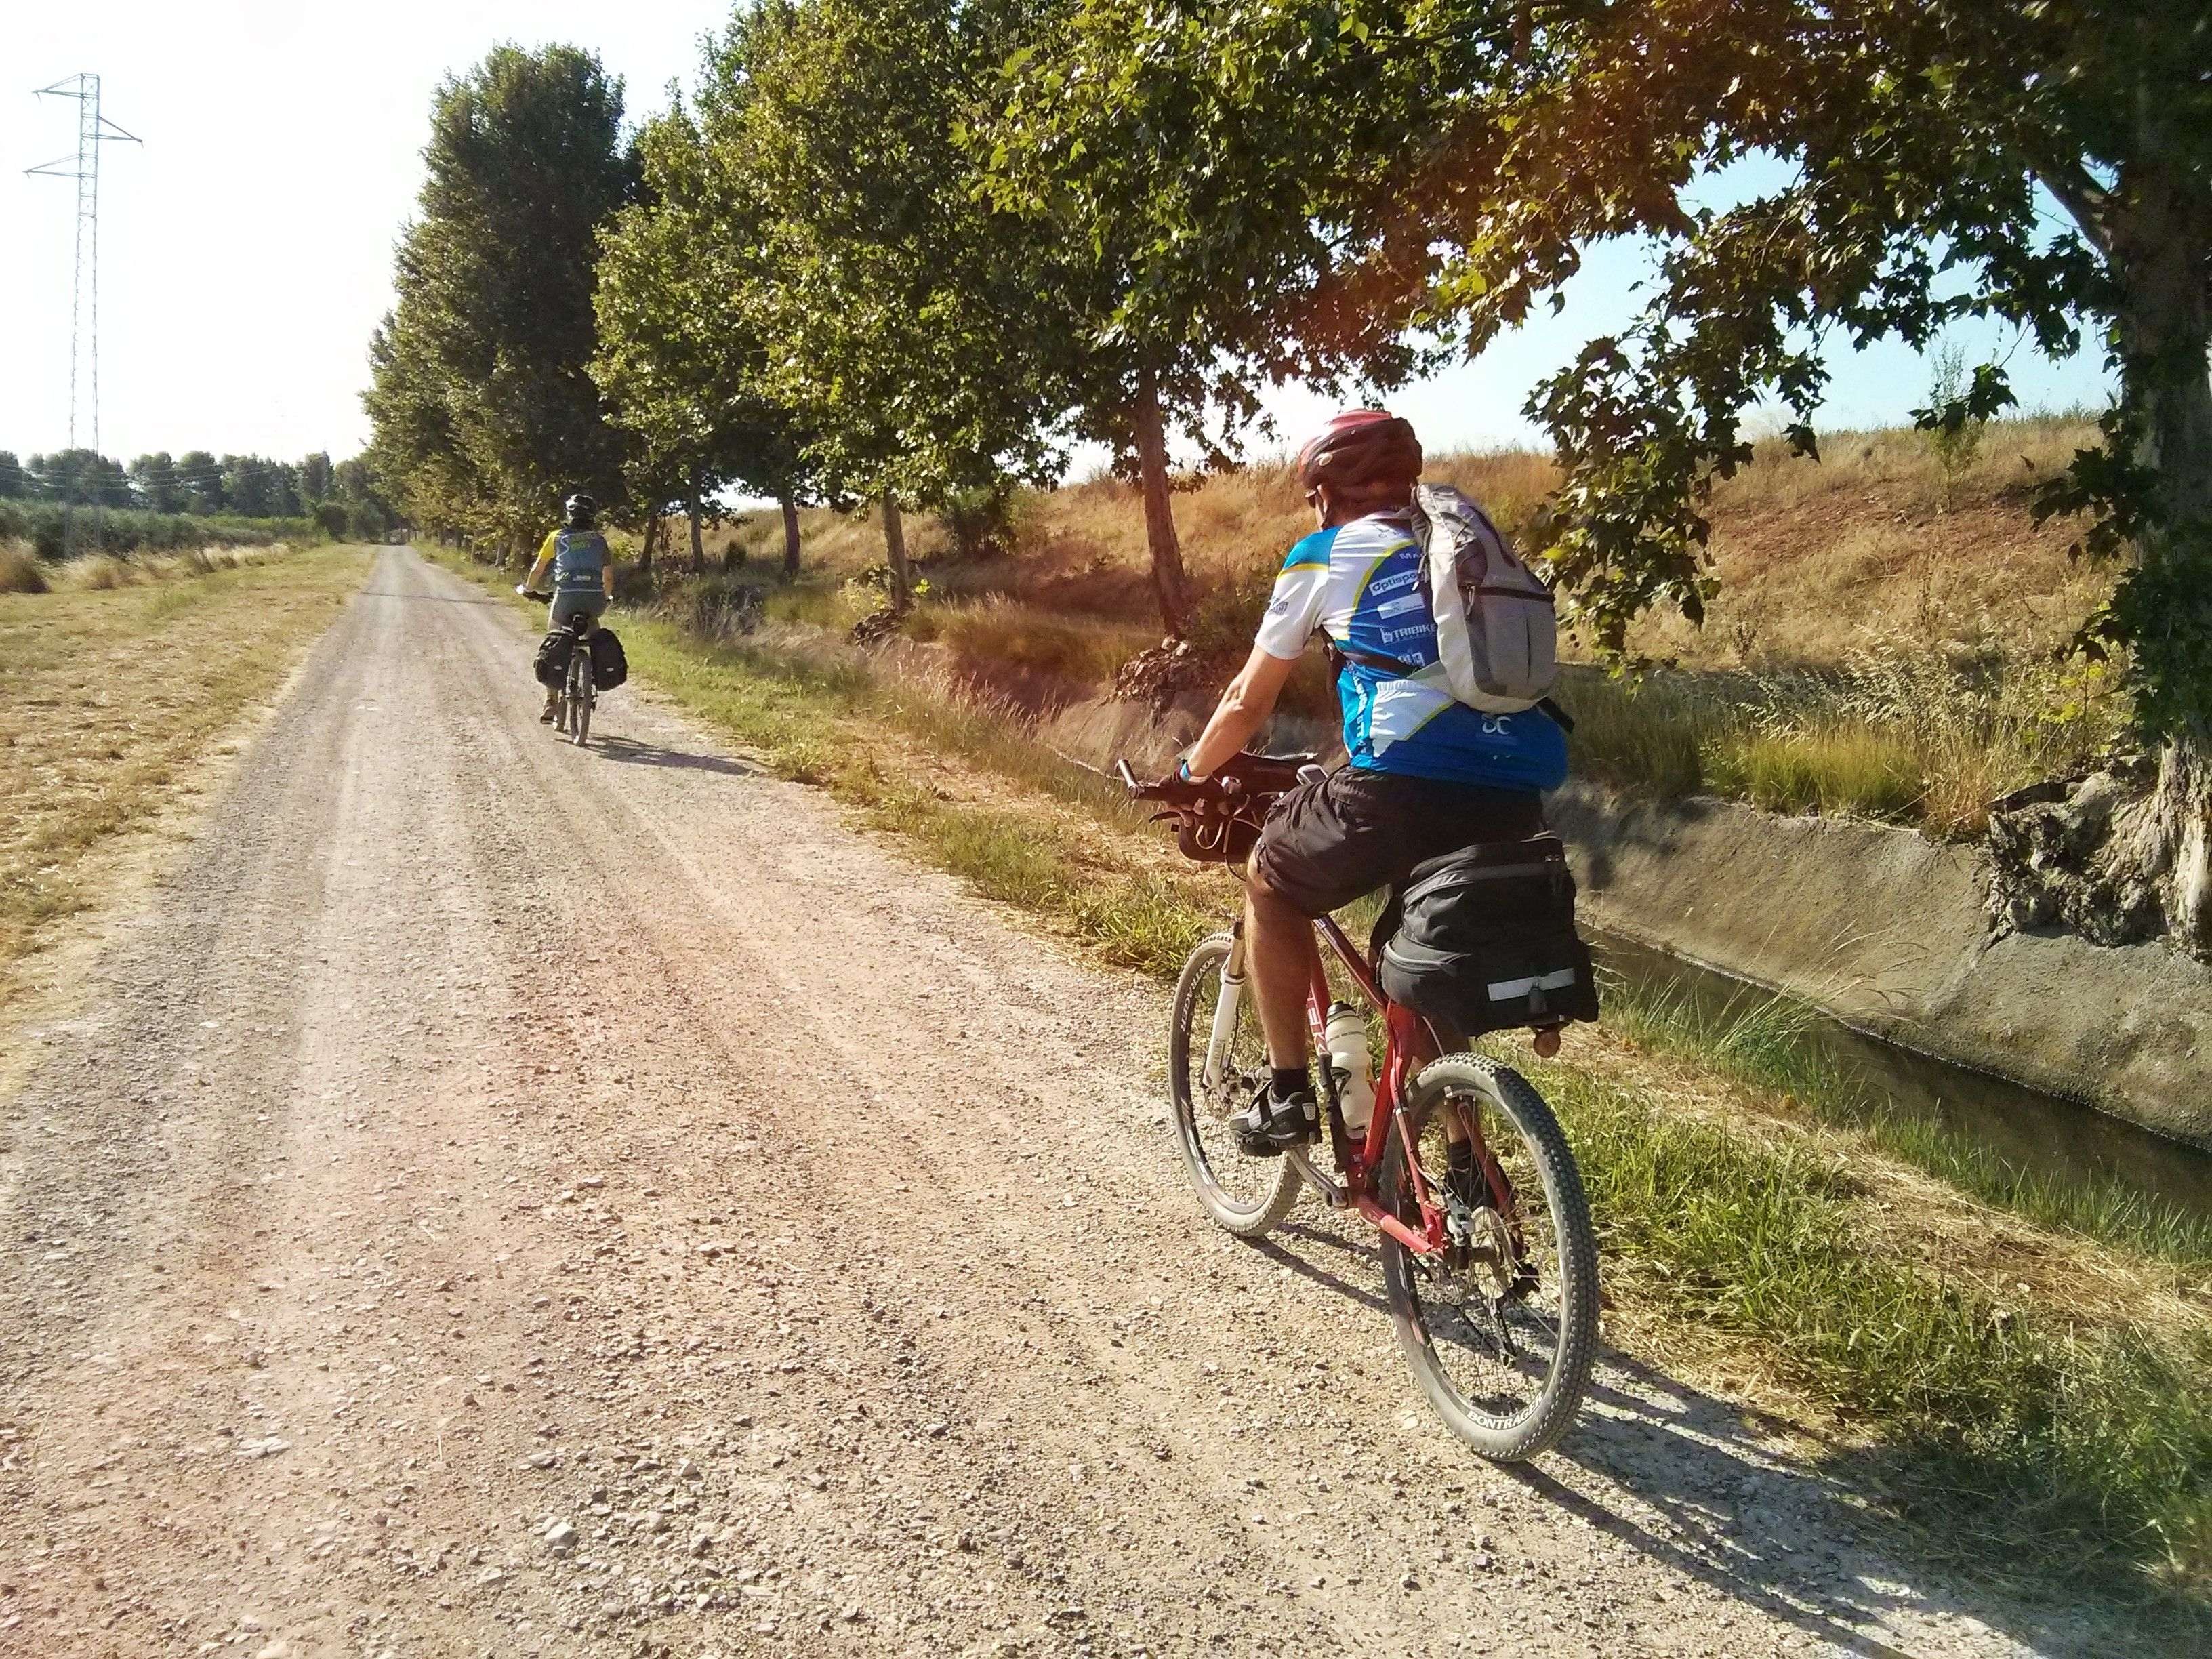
2127,855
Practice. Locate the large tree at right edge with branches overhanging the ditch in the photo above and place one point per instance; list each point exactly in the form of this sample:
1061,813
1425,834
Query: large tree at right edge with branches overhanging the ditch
1921,145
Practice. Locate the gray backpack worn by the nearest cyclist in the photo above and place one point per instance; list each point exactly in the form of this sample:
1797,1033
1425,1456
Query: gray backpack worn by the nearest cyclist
1496,620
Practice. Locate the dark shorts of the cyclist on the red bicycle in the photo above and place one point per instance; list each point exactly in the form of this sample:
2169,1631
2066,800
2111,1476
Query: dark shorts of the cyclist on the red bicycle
1355,831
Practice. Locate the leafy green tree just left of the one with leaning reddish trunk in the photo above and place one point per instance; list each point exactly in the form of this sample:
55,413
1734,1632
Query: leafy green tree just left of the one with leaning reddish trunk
899,311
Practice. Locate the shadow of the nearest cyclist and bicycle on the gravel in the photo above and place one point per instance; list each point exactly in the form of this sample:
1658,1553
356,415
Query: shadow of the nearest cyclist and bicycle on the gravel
1726,1496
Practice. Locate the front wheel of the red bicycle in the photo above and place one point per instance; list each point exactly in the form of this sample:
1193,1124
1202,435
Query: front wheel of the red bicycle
1249,1196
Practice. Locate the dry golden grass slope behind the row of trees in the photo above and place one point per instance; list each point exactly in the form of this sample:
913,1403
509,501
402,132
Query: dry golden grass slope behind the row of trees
1815,559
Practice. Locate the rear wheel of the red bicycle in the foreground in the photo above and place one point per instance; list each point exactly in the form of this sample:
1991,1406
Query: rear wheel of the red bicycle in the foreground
1501,1326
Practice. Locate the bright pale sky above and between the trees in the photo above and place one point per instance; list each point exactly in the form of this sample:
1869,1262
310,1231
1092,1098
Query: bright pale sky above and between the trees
247,247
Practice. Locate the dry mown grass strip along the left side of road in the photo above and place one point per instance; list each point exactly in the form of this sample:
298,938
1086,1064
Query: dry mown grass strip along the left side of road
118,687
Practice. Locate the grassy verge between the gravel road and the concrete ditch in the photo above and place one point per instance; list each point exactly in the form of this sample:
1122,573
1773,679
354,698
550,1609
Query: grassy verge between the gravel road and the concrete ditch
2027,1390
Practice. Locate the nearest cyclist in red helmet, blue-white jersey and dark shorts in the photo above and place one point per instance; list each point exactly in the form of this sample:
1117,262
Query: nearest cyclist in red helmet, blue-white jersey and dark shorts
1426,775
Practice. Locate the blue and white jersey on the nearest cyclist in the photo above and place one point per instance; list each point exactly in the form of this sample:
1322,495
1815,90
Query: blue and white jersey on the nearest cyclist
1361,585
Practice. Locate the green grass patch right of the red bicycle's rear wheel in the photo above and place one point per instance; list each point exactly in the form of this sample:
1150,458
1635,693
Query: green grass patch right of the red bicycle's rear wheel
2083,1446
